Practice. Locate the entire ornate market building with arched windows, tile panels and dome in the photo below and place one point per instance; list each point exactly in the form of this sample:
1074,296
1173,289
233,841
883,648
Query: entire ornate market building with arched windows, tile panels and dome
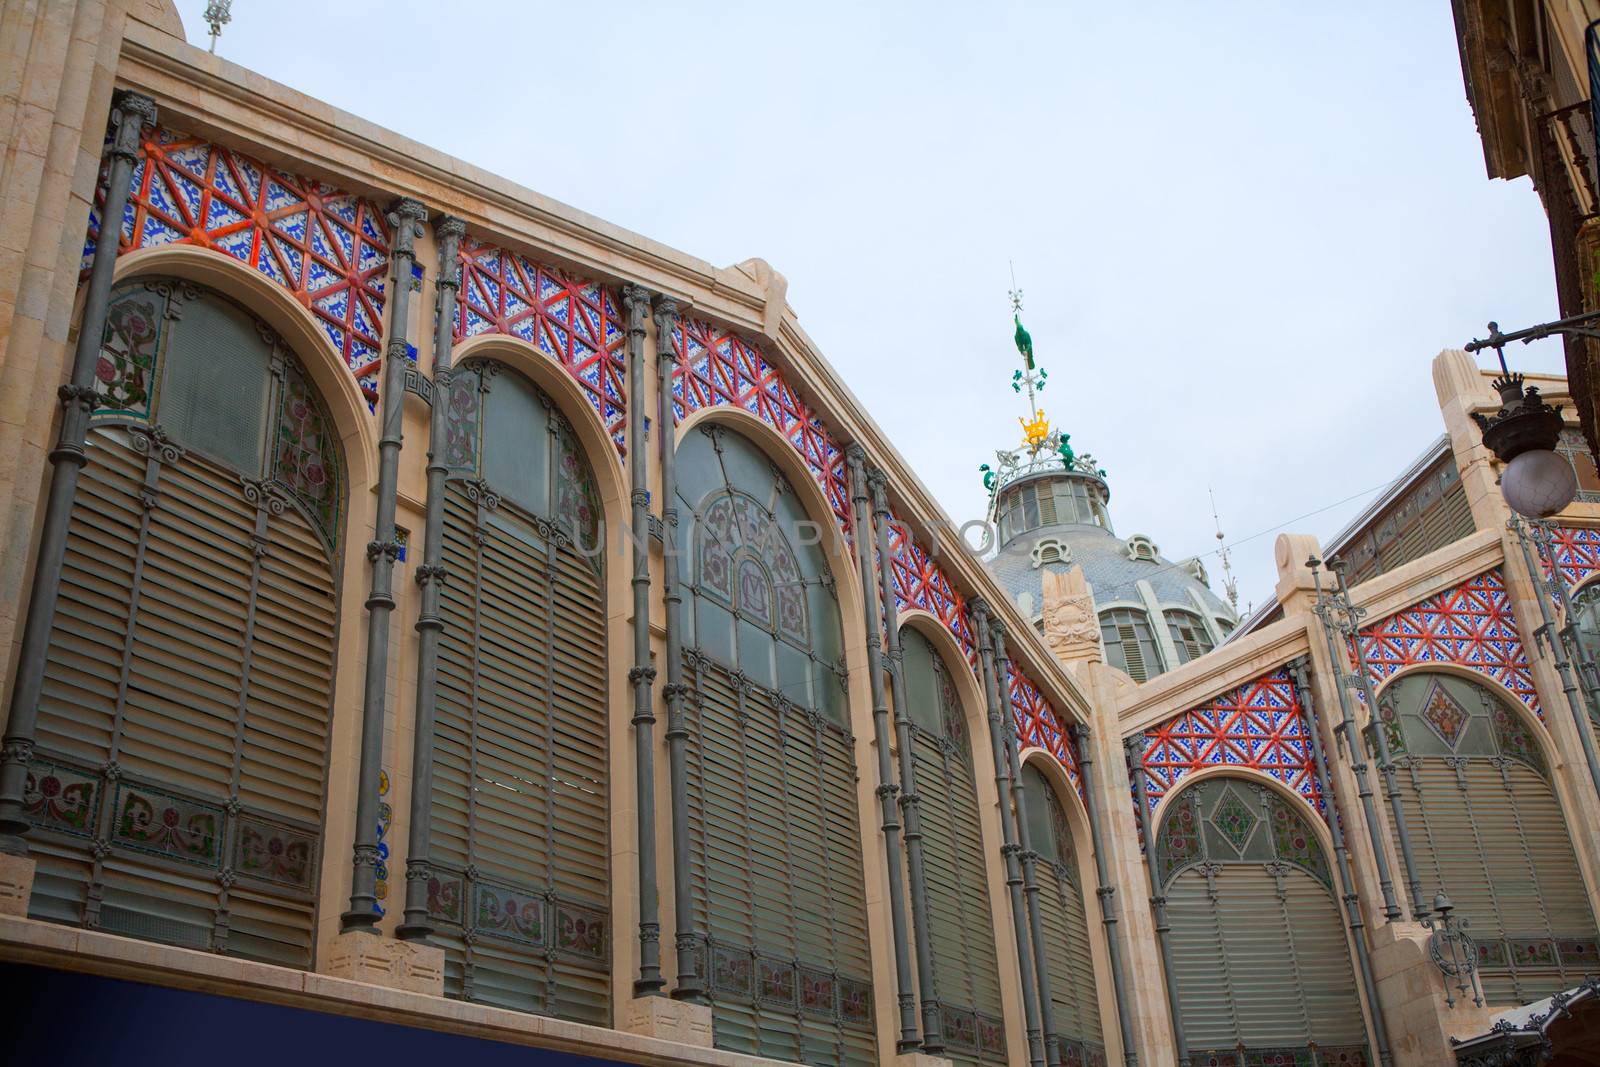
430,604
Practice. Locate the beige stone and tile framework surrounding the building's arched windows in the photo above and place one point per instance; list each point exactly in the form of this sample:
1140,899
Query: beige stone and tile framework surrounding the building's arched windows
282,204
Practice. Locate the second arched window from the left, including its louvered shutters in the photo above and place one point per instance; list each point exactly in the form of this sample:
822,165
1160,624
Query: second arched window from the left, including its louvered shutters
519,887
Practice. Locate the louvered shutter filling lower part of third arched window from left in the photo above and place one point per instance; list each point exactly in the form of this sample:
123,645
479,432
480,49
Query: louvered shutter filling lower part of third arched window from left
777,868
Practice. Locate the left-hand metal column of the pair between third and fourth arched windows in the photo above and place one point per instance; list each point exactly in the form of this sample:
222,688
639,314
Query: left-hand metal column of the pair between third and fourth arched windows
908,1042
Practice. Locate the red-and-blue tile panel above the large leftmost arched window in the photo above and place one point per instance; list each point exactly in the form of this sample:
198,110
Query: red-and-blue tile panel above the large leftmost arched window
329,249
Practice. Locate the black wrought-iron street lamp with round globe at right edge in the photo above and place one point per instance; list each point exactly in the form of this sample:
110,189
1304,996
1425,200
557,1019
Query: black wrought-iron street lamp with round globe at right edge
1537,482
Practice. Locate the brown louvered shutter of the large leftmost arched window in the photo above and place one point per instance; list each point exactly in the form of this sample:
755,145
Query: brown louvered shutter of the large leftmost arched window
185,714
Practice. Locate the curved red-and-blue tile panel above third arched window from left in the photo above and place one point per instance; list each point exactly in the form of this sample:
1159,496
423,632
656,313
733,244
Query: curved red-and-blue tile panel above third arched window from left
718,367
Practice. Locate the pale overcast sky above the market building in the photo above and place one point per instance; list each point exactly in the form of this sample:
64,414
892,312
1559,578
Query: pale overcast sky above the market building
1242,230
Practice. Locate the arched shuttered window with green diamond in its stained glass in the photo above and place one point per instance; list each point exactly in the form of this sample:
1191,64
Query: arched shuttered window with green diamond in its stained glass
1260,954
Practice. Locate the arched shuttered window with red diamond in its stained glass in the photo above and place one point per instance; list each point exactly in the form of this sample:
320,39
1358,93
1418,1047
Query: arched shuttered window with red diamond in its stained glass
1487,829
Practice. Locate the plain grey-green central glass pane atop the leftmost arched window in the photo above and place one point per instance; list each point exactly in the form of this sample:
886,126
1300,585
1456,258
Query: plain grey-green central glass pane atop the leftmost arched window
215,386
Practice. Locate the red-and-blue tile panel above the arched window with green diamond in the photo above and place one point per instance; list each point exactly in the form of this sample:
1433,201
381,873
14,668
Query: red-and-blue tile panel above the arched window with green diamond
1258,725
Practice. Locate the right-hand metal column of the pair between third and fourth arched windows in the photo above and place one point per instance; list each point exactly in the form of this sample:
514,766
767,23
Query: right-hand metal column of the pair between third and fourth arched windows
932,1025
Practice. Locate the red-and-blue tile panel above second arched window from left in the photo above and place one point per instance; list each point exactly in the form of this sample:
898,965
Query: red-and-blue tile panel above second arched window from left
577,324
